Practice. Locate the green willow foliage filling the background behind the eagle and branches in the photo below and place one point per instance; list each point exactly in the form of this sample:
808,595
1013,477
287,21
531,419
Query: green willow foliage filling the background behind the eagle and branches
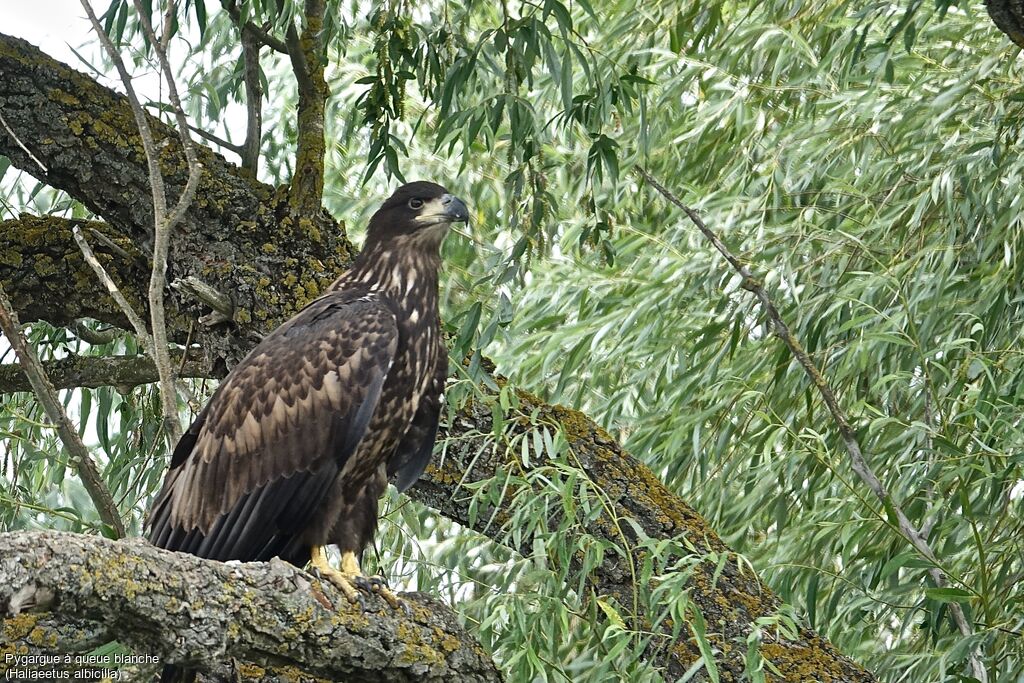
860,156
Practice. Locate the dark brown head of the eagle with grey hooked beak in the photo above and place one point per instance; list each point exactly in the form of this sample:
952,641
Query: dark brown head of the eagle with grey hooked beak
418,215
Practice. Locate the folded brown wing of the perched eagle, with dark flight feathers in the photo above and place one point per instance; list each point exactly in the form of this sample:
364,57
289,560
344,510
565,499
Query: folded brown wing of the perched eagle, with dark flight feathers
249,475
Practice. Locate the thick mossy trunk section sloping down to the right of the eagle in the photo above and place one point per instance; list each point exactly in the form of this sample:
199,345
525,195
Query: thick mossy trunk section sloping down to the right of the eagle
730,599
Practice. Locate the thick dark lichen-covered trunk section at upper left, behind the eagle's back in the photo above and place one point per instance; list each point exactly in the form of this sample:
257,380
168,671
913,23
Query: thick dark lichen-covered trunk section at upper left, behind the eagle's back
239,236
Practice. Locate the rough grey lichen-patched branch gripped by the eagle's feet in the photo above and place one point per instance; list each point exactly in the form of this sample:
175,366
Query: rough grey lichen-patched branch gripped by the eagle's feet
69,593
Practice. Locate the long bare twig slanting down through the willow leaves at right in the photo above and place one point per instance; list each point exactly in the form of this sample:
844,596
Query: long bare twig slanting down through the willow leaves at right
858,461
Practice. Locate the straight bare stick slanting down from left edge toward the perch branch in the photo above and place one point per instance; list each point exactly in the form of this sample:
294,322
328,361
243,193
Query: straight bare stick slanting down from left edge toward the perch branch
49,399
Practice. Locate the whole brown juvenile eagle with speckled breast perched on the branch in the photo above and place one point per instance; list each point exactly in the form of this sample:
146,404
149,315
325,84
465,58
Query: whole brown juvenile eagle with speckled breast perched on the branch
298,443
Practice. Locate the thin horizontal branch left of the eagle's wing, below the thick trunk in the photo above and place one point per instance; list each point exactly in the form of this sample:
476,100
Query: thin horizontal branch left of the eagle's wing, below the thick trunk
123,372
